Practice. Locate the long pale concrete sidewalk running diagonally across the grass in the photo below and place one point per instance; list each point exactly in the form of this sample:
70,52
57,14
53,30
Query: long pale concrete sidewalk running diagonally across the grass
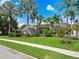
62,51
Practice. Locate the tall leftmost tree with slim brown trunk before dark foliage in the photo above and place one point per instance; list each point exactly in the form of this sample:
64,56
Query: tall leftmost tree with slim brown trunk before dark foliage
9,11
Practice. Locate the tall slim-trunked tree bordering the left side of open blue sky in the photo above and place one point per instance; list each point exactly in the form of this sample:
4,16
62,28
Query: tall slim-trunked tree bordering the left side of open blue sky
29,8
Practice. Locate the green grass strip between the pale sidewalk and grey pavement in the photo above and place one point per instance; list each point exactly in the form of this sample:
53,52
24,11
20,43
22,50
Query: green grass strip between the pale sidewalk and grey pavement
36,52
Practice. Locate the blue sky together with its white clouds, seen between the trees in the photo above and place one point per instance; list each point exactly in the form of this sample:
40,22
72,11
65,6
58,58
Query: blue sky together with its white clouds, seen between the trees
46,8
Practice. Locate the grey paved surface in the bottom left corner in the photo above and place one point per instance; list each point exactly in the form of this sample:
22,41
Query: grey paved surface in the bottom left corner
8,53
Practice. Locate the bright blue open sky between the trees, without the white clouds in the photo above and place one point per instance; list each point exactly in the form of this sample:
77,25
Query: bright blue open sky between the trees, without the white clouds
43,4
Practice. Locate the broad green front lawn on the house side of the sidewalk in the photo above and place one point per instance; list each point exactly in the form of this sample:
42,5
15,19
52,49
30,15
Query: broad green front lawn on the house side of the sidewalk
49,41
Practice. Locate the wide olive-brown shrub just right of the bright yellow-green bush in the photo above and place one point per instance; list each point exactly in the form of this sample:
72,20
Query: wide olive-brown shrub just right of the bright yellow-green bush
62,31
